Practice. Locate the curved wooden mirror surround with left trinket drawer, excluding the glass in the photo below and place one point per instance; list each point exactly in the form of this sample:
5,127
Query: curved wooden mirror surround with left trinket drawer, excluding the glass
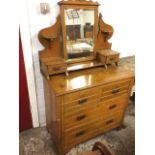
53,39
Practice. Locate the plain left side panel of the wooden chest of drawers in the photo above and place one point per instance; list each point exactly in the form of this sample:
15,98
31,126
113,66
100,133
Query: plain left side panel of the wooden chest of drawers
53,115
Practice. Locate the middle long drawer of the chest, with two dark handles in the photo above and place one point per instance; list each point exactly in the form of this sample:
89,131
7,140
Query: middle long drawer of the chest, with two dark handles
100,110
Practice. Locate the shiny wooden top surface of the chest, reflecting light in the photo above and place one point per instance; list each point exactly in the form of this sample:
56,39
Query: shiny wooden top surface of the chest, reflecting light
62,84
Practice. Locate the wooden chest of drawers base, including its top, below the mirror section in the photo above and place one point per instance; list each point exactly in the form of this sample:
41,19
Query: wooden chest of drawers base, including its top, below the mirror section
88,107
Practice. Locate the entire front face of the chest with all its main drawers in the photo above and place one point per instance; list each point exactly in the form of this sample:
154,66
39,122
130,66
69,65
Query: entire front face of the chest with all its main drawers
88,113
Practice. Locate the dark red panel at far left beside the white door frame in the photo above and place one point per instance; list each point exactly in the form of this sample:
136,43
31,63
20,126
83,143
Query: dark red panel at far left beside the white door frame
25,121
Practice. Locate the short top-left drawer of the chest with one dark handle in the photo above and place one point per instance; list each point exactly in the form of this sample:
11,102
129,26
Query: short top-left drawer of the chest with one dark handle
81,96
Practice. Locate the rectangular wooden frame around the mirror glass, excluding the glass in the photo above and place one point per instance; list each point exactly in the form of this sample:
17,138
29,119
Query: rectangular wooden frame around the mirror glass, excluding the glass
84,7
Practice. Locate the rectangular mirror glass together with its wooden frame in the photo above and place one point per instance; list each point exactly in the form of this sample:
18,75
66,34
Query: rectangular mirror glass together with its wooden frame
79,32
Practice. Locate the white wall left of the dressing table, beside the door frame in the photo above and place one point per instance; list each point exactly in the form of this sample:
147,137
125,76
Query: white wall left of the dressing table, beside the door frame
37,21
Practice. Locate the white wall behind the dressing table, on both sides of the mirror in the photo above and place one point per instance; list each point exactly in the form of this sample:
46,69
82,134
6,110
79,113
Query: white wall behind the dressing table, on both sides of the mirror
116,13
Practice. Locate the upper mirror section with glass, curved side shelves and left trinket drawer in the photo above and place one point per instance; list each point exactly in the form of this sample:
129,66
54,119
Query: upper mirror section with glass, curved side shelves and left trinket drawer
73,42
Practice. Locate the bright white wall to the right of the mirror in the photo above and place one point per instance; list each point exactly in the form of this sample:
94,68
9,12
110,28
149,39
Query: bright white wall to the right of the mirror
121,15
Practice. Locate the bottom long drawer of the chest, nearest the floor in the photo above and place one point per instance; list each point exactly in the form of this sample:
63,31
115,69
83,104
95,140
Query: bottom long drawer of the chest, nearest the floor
91,129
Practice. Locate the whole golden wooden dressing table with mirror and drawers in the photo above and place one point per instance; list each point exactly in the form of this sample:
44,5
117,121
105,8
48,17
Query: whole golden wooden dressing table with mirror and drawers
83,98
